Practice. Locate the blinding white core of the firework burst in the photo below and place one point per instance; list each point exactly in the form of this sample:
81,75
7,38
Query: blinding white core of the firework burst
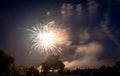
46,38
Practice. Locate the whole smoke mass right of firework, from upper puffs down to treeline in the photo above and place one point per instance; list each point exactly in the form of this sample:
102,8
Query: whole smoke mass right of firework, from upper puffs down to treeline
85,49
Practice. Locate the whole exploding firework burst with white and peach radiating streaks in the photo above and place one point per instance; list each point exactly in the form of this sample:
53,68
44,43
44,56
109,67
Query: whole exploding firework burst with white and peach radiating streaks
48,39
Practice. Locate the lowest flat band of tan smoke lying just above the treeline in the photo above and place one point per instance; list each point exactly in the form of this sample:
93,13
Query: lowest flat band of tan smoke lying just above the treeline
86,63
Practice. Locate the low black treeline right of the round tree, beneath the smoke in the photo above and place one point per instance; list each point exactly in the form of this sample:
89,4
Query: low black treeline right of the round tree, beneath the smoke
102,71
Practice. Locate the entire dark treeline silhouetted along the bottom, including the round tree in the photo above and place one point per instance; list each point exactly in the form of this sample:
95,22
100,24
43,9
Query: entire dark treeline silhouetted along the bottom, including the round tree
8,68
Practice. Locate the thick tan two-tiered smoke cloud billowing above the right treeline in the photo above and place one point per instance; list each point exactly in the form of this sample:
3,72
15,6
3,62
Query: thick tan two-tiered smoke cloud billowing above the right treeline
86,56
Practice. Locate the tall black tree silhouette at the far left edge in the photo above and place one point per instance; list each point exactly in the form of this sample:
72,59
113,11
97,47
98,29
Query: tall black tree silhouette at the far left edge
5,61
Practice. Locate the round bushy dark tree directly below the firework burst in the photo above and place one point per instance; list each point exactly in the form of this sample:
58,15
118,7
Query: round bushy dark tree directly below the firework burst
52,63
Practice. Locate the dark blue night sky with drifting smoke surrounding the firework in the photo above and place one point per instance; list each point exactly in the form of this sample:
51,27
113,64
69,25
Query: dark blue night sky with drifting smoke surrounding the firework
94,29
